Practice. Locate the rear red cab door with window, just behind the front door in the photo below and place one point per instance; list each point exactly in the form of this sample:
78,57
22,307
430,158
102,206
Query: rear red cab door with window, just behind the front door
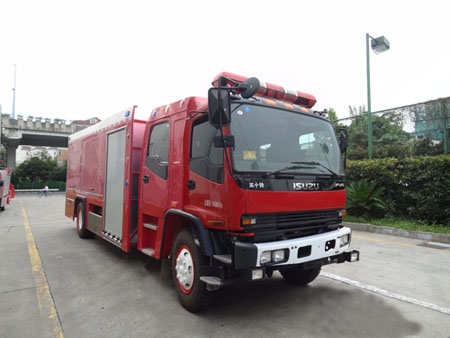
155,188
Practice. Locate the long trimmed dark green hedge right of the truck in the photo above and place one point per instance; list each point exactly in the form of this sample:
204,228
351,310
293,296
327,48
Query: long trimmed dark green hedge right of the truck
414,188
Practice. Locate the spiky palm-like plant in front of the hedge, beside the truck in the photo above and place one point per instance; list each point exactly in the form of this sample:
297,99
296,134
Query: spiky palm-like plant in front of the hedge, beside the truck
364,198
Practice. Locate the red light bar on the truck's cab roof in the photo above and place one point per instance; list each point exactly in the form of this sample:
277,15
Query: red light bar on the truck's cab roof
267,90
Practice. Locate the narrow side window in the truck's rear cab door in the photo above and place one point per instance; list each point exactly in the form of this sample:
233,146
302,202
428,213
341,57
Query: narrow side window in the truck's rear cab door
158,150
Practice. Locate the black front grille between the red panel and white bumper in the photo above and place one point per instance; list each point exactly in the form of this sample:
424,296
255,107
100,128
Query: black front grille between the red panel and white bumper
279,226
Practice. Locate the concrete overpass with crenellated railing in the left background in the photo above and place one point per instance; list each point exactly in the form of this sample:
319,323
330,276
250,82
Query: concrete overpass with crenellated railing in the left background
36,132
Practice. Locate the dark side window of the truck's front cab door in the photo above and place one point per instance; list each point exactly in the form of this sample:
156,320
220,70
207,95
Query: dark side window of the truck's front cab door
206,160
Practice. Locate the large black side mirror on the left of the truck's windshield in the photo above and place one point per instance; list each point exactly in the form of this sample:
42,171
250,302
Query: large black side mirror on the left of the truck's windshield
219,107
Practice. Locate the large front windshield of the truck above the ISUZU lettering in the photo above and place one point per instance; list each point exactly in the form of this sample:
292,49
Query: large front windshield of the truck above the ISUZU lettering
275,140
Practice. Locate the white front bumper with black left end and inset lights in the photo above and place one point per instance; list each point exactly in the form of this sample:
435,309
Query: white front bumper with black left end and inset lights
296,251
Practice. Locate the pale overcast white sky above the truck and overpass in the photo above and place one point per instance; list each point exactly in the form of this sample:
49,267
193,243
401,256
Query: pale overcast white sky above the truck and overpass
92,58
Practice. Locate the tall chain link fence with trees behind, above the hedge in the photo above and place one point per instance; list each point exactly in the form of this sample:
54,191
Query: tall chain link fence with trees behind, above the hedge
421,129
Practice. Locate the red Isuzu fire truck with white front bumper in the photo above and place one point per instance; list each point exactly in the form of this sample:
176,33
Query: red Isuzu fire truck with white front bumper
231,187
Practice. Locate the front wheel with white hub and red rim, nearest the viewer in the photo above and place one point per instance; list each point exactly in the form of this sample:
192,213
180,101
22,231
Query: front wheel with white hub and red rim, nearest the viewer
186,267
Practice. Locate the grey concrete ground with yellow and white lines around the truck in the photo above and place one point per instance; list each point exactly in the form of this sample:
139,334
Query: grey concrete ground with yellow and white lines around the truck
53,284
